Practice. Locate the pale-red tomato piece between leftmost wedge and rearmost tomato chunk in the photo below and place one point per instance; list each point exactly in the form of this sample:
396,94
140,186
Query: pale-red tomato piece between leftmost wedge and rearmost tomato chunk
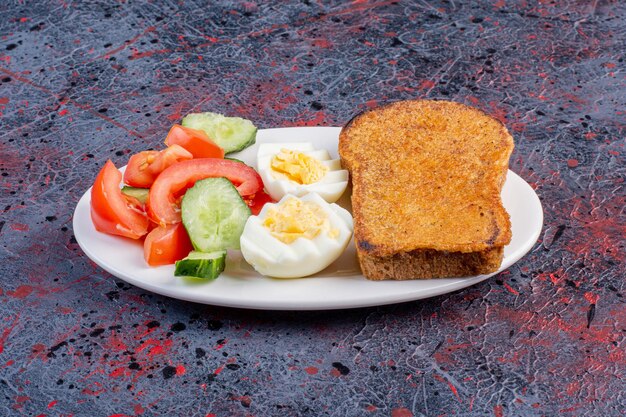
144,167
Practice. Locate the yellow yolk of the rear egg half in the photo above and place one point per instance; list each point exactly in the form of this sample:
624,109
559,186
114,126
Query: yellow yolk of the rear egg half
298,167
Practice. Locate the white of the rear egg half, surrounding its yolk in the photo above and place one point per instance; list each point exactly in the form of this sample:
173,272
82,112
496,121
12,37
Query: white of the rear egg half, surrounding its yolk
330,187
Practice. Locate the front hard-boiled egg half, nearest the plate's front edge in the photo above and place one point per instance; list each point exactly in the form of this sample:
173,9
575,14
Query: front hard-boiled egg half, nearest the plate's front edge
296,237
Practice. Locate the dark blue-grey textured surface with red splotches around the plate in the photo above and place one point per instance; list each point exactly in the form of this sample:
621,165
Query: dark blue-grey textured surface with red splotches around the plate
81,82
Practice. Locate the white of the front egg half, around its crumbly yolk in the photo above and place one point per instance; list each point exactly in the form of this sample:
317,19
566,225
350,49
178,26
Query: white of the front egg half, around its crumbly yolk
272,257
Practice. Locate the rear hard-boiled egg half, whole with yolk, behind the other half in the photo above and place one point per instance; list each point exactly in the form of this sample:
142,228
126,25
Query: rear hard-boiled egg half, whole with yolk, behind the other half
299,168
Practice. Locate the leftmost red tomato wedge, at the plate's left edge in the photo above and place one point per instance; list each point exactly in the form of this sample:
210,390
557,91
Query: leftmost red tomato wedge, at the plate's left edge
111,211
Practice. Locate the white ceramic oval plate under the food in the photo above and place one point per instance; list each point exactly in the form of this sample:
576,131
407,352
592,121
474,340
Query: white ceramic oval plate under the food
341,285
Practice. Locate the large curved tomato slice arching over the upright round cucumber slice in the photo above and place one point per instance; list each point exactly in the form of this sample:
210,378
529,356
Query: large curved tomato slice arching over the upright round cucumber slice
169,187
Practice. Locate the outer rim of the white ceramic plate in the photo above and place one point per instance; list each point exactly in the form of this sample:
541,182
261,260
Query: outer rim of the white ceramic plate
448,285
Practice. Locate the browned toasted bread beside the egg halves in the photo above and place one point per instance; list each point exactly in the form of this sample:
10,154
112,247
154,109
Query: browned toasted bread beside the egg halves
426,179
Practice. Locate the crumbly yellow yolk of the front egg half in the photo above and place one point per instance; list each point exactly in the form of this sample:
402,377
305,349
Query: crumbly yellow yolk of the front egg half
295,218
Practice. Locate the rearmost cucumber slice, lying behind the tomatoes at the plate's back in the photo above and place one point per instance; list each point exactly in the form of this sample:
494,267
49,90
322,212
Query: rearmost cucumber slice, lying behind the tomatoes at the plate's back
230,133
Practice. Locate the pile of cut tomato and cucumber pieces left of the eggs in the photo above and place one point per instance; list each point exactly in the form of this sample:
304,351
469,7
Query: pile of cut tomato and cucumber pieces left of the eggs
188,181
